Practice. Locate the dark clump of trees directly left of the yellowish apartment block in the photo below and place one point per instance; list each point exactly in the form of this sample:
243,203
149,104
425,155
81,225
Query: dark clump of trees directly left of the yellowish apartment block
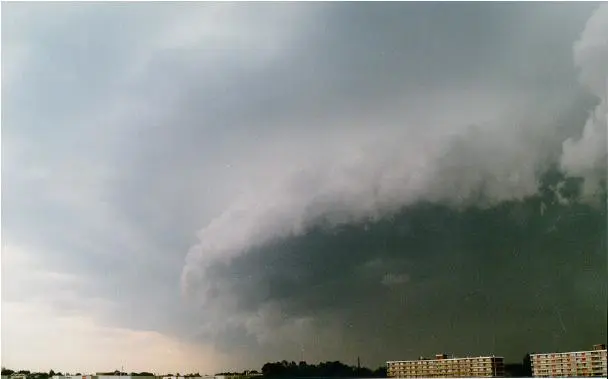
334,369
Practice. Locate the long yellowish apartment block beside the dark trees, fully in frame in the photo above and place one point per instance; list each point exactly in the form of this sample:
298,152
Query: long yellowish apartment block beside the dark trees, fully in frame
444,366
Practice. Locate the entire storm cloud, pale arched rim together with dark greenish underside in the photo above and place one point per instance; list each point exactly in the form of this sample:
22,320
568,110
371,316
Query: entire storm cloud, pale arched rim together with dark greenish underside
299,242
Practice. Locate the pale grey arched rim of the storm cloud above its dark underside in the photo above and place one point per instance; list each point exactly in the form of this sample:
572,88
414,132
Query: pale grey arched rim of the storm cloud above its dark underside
380,170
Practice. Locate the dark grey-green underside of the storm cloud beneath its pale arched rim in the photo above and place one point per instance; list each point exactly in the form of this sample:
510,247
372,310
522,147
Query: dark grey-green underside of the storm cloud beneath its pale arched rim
516,277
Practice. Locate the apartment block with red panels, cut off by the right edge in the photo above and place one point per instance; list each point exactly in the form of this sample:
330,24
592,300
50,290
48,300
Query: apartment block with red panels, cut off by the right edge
571,364
